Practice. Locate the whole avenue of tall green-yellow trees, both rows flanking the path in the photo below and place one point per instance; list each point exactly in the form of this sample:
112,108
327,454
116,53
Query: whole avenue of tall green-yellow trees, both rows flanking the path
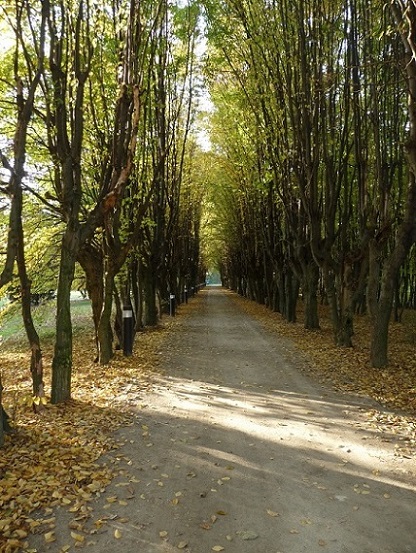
311,172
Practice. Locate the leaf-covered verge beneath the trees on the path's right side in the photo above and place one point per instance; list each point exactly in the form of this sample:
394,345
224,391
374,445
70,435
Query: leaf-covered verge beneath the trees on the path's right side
349,370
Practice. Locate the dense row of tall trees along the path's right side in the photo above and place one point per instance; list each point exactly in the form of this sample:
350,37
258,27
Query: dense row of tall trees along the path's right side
315,137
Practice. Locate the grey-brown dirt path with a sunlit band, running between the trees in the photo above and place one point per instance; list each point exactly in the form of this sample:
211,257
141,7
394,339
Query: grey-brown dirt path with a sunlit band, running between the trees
237,449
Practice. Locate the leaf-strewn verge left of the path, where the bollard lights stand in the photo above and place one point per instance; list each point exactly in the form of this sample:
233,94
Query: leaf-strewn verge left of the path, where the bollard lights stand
52,459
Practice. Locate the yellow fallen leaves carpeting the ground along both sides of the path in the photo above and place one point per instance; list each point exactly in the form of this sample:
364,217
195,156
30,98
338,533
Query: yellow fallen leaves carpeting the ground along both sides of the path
53,458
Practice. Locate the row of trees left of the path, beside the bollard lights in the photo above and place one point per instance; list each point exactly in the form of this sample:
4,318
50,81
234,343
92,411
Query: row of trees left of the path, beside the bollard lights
98,103
